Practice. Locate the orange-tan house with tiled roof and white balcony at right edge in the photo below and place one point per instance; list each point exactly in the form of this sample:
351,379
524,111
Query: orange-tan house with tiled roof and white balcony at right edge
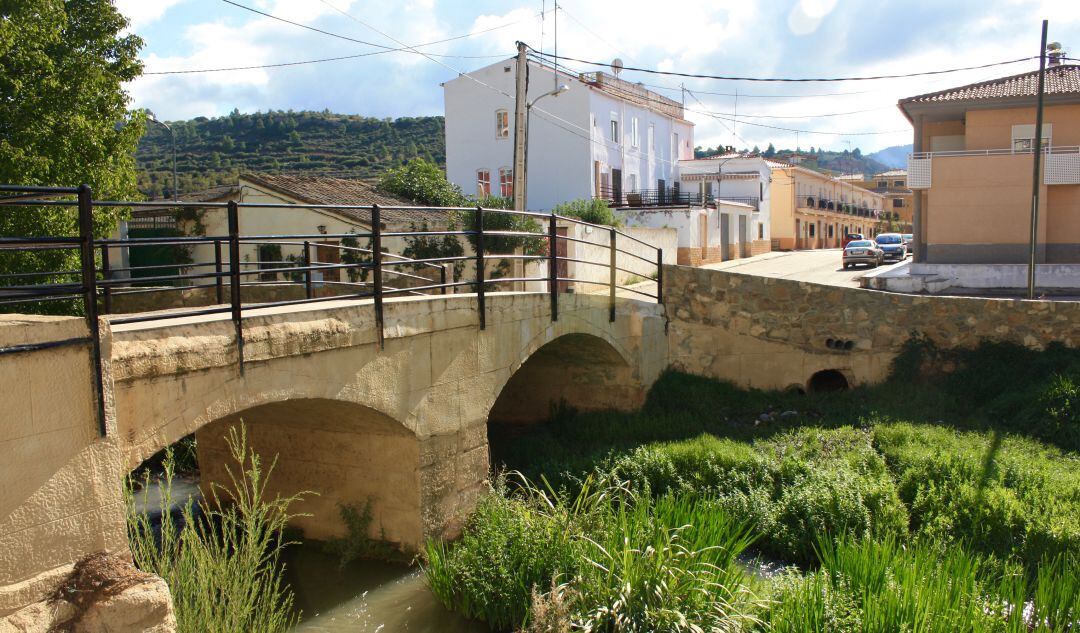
973,173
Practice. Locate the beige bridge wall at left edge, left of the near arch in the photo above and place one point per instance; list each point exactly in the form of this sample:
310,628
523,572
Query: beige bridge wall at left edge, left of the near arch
61,499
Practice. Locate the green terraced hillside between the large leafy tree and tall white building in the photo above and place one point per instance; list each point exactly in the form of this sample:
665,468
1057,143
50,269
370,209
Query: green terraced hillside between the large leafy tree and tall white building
213,152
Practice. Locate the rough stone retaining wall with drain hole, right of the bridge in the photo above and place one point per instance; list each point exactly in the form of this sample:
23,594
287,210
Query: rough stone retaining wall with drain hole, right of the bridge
774,333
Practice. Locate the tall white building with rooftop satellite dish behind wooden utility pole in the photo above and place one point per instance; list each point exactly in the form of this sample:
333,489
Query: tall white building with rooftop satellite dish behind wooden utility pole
603,138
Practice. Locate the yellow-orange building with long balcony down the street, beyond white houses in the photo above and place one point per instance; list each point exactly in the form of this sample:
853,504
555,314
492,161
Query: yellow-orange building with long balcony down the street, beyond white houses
812,210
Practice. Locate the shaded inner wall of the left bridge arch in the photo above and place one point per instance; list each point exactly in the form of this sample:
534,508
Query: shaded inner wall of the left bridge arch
337,454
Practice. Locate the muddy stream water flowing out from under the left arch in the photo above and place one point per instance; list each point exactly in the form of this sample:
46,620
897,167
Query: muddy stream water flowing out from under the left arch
366,597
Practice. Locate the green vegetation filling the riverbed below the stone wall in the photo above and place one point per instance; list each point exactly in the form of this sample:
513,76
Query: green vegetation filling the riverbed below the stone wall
935,502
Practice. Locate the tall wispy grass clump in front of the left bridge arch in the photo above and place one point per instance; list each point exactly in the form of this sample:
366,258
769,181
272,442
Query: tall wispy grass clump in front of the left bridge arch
224,569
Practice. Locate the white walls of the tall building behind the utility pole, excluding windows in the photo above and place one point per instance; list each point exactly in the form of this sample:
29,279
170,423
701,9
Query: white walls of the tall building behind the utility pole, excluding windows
562,153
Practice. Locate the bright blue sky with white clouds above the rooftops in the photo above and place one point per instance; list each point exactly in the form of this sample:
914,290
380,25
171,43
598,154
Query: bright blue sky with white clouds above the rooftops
742,38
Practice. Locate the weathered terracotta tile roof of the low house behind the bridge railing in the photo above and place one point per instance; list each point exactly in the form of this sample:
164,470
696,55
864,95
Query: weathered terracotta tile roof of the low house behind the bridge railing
344,192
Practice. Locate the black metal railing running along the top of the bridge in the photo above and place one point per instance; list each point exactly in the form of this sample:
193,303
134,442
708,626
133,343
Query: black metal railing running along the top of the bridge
374,272
